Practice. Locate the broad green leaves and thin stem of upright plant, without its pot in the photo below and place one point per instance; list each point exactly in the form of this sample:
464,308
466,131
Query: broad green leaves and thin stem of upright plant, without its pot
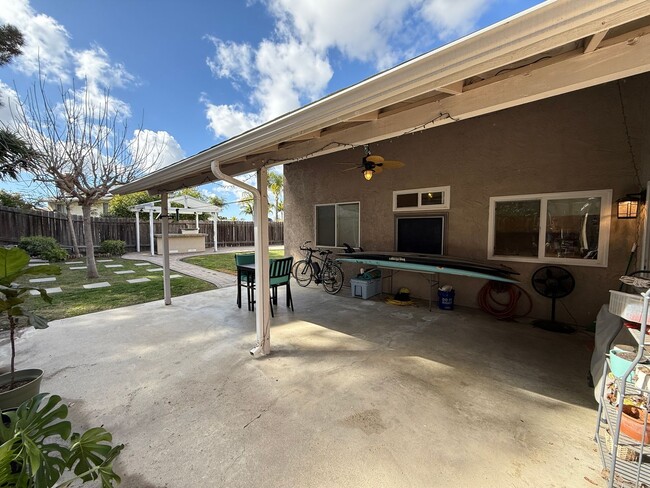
13,265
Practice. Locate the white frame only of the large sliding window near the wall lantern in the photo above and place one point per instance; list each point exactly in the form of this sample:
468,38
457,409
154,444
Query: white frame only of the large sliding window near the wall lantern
603,230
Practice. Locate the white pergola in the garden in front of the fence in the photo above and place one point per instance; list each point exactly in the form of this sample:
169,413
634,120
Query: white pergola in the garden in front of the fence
188,206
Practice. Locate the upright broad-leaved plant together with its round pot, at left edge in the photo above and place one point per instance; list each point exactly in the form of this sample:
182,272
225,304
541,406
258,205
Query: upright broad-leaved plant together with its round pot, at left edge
18,386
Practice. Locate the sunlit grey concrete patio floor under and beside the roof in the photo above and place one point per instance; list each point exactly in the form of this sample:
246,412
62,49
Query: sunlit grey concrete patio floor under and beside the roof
357,393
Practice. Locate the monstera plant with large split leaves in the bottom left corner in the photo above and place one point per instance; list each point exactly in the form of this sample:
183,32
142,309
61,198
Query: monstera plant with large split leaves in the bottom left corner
37,448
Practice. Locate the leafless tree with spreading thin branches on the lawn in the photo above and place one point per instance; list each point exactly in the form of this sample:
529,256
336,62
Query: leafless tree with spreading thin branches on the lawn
84,147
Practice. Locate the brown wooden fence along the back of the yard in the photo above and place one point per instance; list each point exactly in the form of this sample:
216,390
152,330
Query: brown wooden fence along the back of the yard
16,223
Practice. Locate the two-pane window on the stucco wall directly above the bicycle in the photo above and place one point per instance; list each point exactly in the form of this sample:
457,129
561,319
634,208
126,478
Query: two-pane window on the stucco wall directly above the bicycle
337,223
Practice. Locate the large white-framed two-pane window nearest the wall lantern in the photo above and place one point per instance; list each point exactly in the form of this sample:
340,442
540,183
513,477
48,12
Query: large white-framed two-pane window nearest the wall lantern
570,228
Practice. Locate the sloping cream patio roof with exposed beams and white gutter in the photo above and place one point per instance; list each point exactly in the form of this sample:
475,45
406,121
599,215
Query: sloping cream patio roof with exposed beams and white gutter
554,48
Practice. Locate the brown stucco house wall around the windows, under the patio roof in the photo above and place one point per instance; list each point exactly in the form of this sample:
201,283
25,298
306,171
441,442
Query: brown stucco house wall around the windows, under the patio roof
579,141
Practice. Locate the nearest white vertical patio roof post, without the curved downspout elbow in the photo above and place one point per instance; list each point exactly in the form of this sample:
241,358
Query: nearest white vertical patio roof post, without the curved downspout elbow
261,233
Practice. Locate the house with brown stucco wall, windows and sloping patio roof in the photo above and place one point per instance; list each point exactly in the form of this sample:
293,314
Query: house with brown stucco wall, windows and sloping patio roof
517,140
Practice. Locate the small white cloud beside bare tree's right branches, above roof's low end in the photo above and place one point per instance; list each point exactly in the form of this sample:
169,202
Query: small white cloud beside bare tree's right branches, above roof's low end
157,148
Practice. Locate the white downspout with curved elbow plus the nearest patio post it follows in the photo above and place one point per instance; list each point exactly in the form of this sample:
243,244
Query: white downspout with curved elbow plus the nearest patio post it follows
261,234
